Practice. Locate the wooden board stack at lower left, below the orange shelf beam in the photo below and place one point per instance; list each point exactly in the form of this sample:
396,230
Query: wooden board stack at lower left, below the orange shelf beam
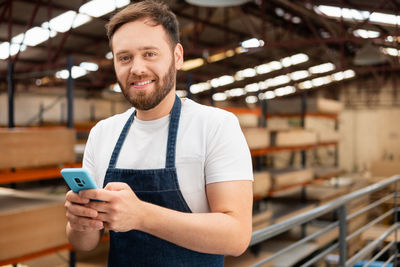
30,223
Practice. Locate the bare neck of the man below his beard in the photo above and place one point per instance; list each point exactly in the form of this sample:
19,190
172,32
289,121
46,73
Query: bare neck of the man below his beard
159,111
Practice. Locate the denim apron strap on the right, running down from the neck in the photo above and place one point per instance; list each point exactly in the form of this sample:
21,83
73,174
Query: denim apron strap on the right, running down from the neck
172,133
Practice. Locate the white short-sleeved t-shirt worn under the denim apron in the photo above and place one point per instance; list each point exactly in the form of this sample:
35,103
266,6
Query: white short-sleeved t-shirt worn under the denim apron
210,148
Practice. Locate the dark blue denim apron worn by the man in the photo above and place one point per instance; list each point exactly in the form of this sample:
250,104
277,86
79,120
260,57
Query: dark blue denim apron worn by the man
160,187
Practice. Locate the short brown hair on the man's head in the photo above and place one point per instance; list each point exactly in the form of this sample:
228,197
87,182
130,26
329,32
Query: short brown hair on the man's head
157,11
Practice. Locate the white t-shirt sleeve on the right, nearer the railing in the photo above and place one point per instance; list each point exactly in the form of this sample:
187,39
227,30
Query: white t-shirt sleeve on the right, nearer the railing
228,156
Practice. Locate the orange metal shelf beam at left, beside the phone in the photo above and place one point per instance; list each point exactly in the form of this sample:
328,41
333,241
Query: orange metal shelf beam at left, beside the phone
24,175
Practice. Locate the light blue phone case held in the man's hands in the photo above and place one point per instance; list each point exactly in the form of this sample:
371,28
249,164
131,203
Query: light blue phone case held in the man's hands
78,179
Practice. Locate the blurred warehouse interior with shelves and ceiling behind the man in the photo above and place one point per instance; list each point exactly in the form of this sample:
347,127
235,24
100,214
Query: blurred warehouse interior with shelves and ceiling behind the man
314,84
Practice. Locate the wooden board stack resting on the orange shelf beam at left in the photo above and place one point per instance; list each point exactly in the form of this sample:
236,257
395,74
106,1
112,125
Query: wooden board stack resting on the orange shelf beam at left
22,148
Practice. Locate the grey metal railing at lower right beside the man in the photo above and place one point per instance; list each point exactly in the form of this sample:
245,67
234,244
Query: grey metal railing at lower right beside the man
340,206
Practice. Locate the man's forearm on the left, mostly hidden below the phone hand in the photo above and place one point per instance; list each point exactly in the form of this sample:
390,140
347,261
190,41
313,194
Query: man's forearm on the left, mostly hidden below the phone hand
83,240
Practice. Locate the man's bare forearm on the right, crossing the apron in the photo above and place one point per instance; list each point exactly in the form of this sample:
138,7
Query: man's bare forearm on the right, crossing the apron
216,233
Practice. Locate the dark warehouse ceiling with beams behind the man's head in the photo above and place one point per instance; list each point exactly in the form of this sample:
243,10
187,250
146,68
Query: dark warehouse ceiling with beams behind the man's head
286,27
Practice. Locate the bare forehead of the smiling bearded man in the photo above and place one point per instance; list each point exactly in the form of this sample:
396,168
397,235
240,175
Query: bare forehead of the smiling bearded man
140,33
